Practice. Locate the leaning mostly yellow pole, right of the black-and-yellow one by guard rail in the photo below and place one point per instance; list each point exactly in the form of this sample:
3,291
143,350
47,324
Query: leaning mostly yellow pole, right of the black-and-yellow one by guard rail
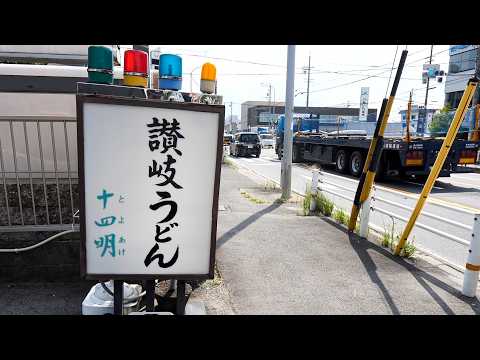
442,155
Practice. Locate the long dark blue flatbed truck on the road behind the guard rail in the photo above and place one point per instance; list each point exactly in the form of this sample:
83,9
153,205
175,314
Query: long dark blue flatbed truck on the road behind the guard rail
347,150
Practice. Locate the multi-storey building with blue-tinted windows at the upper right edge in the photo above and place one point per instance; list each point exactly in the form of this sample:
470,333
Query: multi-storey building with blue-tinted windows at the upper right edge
461,68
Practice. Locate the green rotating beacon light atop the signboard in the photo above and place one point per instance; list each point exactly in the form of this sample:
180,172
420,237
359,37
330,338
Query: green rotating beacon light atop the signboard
100,64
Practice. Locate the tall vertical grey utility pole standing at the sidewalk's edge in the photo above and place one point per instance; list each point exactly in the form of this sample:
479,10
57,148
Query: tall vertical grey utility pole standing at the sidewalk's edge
286,172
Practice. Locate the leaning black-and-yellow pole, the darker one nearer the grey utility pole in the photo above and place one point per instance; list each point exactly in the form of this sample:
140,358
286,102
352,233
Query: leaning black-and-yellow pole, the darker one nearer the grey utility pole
375,150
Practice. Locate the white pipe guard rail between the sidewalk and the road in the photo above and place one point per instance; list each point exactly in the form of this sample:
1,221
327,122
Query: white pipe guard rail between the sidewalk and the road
471,271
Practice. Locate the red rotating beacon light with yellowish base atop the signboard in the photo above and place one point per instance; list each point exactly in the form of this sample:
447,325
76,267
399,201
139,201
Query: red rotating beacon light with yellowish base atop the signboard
135,69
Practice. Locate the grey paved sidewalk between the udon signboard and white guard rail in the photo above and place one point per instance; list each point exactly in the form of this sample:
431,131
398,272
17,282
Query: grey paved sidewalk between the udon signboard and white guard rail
274,261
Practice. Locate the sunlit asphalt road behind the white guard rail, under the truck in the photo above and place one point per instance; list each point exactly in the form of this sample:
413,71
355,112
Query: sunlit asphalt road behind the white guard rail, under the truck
452,204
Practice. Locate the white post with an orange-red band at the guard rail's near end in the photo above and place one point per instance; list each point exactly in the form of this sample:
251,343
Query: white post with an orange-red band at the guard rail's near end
470,277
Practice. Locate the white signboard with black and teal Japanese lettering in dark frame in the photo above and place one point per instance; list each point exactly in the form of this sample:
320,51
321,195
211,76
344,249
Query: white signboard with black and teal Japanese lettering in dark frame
149,193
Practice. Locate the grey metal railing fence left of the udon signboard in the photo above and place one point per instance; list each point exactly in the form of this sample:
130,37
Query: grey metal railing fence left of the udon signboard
38,174
